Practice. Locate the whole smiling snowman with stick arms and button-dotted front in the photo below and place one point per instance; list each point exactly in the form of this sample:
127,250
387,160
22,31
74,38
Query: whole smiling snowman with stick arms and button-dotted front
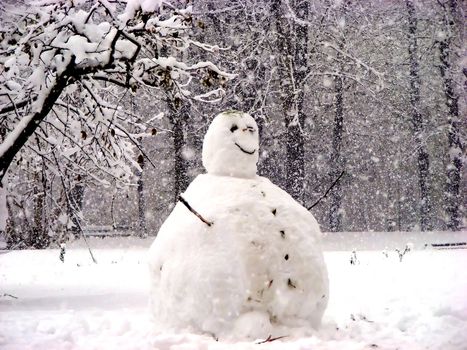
238,257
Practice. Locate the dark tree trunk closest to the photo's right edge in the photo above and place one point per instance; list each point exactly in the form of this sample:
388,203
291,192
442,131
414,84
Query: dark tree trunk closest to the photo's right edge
452,192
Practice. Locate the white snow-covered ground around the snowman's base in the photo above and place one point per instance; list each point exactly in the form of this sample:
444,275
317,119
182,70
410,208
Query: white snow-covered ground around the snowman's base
377,303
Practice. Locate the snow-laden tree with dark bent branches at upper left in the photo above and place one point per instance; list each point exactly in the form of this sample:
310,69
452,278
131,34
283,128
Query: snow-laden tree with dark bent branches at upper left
67,71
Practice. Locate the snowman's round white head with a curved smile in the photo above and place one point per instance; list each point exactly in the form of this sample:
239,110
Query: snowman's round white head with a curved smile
231,145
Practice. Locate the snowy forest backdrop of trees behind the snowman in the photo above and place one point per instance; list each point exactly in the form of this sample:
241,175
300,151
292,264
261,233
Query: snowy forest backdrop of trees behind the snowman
371,93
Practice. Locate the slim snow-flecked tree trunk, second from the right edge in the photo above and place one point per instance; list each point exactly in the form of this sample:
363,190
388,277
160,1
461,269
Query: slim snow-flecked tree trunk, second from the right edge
423,161
